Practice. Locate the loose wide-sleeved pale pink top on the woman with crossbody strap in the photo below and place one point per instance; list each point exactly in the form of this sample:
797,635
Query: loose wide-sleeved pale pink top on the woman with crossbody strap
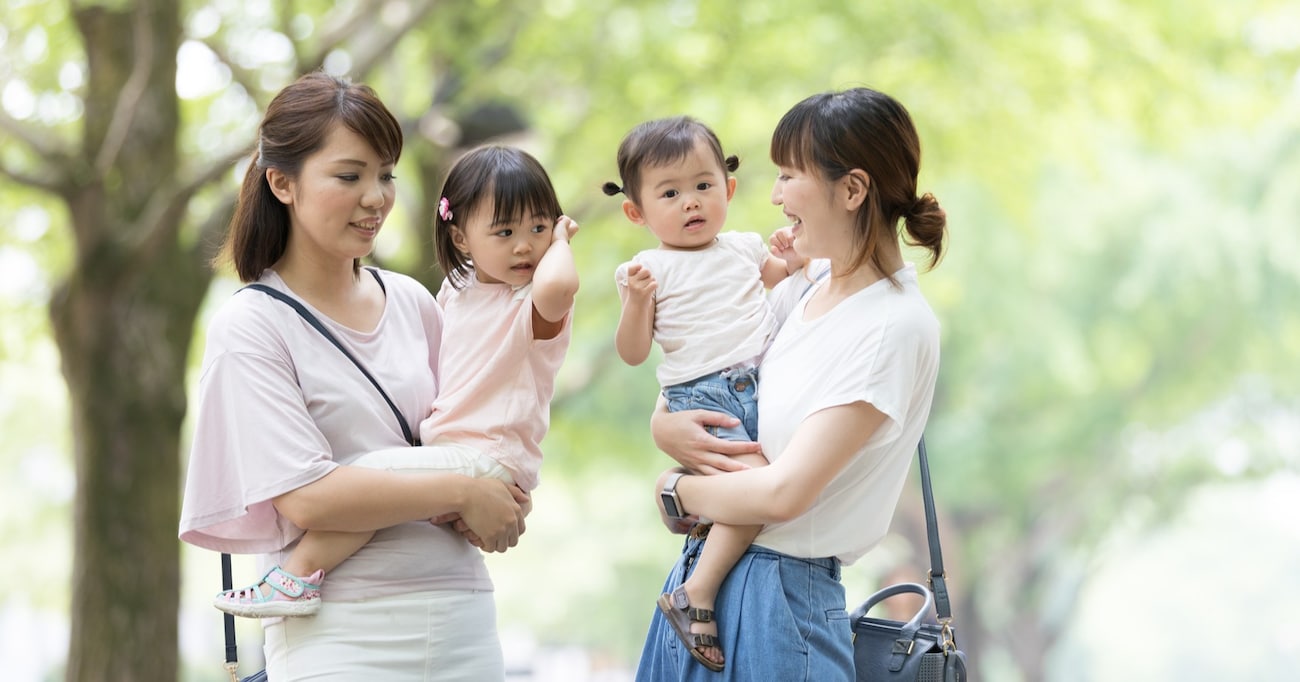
280,407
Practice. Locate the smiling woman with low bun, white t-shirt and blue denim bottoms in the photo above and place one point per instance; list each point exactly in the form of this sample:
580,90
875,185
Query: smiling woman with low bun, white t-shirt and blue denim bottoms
846,392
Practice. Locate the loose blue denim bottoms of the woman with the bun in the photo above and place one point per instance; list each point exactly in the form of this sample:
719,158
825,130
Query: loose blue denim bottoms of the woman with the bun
779,618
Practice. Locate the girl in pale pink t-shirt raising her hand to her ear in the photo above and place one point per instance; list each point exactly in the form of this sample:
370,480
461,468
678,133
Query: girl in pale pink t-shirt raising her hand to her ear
508,301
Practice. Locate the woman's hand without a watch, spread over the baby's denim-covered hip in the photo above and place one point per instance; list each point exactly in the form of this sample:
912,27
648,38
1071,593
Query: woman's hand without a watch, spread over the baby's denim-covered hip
684,437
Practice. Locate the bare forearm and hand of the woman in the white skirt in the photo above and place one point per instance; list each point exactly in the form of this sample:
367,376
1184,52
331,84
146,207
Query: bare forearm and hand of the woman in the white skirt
361,499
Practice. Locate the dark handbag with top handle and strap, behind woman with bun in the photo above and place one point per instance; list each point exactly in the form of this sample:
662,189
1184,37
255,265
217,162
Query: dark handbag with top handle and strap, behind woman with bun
913,651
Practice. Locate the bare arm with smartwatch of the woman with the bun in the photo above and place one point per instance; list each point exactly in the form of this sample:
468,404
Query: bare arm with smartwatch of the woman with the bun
821,449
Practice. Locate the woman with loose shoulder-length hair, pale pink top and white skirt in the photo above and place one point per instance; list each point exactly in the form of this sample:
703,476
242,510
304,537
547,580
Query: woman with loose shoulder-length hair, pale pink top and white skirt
283,414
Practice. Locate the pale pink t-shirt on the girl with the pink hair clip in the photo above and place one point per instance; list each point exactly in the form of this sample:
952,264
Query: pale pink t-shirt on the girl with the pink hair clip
497,380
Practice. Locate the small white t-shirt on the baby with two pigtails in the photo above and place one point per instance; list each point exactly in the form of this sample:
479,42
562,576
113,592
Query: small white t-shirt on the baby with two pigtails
712,310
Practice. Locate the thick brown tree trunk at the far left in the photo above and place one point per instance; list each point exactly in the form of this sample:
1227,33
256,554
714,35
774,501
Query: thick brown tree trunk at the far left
124,323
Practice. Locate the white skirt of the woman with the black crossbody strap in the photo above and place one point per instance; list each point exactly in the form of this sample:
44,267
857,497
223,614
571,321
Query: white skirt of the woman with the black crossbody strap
437,636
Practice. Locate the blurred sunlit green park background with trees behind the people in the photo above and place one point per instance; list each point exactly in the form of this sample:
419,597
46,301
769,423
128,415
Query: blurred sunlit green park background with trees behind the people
1117,429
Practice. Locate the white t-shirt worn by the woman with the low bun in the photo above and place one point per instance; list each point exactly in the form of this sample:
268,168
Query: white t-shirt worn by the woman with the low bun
879,346
